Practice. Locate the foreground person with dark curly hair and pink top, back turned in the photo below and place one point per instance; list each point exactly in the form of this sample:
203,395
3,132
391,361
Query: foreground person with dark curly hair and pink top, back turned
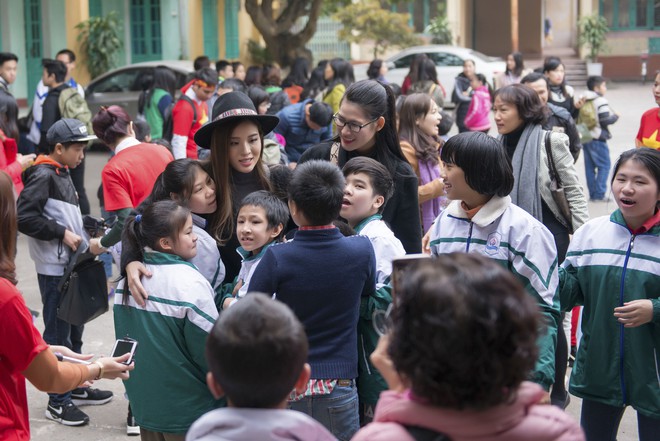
475,332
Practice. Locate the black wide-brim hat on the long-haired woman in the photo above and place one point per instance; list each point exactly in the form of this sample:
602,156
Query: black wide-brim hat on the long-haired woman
231,107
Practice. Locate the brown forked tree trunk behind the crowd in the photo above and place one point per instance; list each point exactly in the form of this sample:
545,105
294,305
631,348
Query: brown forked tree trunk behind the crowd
275,26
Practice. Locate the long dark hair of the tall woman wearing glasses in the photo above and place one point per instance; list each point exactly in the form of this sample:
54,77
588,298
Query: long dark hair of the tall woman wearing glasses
376,100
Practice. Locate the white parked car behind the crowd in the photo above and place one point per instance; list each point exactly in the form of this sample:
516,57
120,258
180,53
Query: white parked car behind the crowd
449,62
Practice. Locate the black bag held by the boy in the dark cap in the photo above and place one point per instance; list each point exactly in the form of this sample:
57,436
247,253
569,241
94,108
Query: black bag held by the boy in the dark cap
83,289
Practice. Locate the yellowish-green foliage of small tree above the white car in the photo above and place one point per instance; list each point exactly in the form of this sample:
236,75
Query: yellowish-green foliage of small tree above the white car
367,20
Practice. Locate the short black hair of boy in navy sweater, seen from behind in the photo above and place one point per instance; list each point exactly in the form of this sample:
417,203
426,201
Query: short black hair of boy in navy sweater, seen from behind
317,189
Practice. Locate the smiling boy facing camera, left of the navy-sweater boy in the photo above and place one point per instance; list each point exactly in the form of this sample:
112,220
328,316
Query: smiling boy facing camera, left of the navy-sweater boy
259,224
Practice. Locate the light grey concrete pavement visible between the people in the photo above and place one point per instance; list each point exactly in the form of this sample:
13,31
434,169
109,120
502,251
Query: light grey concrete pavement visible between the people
108,422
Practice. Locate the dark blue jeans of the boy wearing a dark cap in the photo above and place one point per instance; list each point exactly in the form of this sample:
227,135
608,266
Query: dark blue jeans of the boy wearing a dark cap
57,332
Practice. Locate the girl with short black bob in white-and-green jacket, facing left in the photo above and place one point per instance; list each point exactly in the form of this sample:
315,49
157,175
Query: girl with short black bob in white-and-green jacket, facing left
481,219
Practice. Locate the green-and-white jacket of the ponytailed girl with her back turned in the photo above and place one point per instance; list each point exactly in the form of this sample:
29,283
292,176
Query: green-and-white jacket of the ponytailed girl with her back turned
167,389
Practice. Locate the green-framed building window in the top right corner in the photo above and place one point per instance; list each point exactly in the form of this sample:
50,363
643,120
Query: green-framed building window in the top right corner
631,14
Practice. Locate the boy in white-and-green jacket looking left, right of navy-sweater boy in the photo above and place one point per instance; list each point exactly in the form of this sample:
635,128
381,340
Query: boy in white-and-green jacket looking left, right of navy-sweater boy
369,186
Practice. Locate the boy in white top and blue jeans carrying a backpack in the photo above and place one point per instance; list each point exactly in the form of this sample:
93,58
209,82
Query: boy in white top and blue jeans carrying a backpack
596,152
